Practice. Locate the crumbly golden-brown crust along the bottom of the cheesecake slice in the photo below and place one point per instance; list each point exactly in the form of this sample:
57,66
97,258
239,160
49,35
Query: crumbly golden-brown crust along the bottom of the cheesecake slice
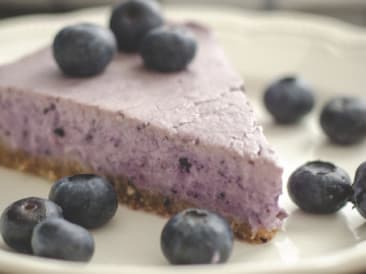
128,194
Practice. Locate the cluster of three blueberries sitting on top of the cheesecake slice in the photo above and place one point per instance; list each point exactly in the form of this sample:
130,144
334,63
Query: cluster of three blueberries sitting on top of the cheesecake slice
86,49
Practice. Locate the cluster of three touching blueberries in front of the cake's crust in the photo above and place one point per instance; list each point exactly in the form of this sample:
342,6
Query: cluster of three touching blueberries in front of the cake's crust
57,227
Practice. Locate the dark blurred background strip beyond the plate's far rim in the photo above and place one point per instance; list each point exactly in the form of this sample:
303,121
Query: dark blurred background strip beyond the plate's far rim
353,11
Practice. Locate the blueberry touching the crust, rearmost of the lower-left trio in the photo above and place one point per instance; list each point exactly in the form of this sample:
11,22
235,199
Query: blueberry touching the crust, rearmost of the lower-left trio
86,199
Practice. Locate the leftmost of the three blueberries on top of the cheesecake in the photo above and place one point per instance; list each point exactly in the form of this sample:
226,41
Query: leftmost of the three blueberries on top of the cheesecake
84,49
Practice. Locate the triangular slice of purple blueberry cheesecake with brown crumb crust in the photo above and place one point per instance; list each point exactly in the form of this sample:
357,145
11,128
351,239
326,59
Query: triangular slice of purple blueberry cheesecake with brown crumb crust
166,141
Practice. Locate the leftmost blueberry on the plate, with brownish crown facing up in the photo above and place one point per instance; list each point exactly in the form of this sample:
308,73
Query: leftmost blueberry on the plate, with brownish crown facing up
18,220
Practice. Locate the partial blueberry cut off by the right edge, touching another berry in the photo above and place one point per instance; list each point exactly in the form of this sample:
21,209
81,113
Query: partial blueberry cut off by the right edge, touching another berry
359,189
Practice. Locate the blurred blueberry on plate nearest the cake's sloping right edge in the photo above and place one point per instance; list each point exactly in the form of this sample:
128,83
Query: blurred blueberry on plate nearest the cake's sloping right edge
289,99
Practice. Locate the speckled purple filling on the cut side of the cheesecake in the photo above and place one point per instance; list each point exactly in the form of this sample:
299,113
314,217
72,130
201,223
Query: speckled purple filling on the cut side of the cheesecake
244,188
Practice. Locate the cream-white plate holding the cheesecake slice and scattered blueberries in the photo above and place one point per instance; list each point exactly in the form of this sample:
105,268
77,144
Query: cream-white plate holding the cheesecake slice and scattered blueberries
330,54
